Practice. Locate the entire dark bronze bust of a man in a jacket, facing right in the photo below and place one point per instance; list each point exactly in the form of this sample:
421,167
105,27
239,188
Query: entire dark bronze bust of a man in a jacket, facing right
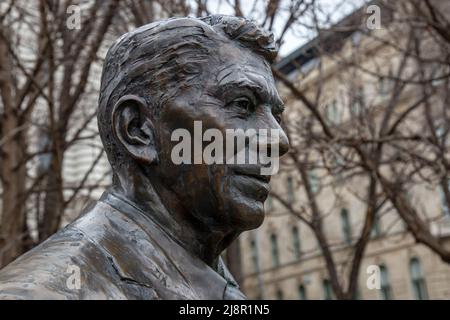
158,232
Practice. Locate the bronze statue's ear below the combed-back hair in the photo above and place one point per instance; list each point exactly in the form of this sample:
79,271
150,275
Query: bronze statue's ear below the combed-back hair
134,129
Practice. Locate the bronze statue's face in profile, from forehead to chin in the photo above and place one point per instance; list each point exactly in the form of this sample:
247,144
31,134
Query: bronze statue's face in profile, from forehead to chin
235,90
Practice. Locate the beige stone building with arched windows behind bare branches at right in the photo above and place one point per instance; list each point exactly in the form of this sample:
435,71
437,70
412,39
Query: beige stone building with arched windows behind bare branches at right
282,258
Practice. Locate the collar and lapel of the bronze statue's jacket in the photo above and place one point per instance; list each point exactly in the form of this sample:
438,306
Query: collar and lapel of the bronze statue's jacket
157,253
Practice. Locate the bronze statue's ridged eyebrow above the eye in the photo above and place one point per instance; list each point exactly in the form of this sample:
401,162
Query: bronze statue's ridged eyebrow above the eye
259,90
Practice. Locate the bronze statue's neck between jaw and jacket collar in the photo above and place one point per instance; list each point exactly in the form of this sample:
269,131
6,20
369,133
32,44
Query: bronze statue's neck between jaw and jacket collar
164,207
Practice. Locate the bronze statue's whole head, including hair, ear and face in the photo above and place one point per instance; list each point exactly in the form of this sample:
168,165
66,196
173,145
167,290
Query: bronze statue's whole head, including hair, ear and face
167,75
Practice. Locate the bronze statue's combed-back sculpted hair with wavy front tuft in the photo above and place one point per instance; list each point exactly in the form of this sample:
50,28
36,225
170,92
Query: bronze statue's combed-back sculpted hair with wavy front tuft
158,59
